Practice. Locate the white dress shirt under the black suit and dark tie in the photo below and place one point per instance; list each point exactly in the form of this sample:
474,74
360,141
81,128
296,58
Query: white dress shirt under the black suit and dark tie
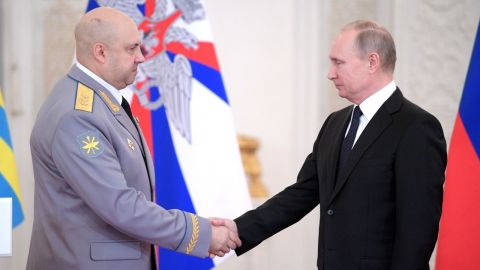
370,106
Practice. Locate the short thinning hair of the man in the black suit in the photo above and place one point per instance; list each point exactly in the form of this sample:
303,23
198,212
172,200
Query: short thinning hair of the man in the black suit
371,37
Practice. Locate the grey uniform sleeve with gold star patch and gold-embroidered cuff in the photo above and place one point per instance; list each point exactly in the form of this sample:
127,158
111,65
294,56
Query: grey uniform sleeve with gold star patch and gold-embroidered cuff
99,181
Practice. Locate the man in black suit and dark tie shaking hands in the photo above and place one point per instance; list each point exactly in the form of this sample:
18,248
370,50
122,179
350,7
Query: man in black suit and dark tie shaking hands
376,169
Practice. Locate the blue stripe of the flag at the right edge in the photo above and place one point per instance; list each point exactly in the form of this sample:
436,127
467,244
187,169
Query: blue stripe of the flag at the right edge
469,109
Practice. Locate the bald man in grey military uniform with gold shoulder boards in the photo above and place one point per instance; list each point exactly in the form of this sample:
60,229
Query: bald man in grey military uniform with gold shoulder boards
94,176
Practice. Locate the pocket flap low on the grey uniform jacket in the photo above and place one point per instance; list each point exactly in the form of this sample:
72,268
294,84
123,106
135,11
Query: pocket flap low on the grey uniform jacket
115,250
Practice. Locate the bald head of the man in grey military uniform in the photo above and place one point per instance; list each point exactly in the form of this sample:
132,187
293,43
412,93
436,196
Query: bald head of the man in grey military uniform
108,44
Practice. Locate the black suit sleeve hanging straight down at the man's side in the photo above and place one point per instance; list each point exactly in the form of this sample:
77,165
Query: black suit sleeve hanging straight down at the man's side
420,174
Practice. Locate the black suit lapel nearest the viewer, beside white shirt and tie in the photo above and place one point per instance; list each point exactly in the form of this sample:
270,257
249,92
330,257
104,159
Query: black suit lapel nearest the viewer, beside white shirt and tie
380,121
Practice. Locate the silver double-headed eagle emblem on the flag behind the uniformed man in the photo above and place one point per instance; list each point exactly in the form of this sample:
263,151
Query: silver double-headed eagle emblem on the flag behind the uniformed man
170,76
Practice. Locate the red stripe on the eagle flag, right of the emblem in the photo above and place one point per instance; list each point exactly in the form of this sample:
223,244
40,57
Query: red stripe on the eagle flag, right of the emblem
204,54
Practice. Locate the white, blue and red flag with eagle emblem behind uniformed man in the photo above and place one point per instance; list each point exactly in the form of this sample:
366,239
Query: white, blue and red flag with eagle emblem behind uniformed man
185,116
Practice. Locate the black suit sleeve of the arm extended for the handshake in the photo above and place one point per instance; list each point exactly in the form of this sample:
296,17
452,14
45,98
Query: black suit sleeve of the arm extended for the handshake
282,210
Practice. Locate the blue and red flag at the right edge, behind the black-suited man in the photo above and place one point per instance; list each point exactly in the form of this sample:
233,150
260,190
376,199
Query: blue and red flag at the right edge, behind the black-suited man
459,238
